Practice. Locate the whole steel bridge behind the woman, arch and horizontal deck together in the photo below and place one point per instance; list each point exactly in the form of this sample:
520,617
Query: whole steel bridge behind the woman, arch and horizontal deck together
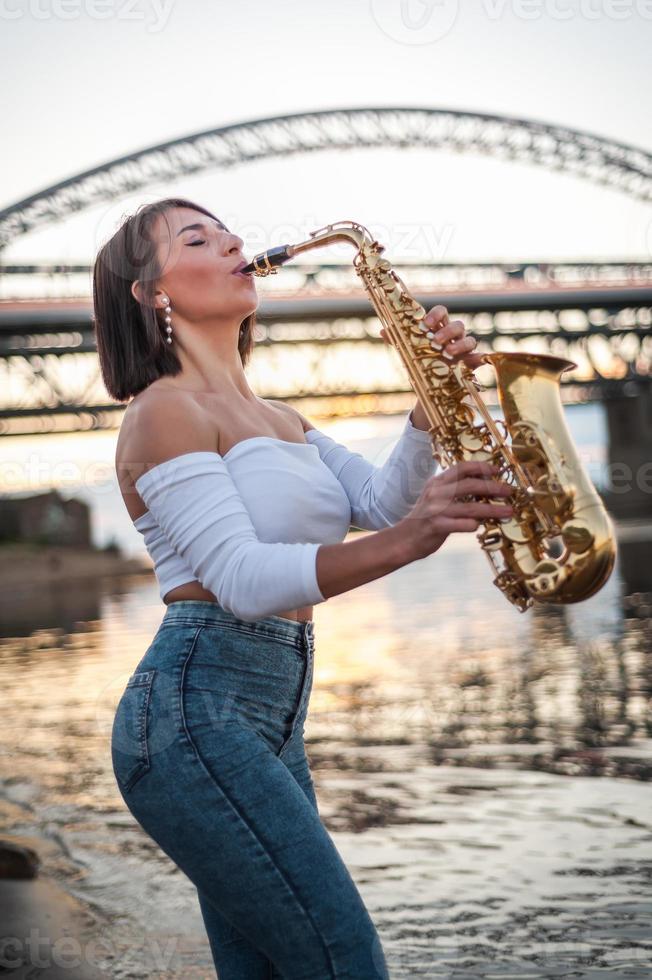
315,322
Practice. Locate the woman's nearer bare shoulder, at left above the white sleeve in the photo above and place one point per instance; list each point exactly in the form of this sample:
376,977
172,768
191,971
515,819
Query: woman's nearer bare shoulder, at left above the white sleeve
160,424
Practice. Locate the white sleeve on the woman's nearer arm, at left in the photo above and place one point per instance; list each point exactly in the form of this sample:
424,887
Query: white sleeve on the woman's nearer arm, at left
194,500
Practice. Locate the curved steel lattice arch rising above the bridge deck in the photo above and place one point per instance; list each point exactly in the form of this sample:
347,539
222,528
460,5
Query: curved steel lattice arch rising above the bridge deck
591,157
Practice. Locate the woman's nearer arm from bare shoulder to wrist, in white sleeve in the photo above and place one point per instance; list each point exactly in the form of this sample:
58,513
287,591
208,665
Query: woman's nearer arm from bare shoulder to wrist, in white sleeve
173,465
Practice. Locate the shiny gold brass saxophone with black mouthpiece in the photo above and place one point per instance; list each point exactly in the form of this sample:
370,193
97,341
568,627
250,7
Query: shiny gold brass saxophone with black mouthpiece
559,545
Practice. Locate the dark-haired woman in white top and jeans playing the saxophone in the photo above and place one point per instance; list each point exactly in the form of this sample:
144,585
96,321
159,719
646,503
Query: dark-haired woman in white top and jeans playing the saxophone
244,506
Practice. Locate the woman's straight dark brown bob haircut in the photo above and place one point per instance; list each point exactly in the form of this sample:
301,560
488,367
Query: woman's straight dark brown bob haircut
130,339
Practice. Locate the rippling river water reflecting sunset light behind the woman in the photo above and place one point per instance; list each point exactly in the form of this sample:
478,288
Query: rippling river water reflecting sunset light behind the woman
485,774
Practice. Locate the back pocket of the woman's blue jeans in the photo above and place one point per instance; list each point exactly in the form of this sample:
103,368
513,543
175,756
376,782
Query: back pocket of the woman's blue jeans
129,745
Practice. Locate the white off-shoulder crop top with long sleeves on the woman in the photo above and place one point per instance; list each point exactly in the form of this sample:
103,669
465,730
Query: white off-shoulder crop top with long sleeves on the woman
248,524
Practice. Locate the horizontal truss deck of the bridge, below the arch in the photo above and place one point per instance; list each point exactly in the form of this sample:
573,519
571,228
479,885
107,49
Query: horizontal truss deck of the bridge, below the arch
315,346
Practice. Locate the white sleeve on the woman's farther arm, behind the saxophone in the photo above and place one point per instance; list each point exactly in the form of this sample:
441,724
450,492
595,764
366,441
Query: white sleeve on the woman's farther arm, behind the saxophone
380,495
